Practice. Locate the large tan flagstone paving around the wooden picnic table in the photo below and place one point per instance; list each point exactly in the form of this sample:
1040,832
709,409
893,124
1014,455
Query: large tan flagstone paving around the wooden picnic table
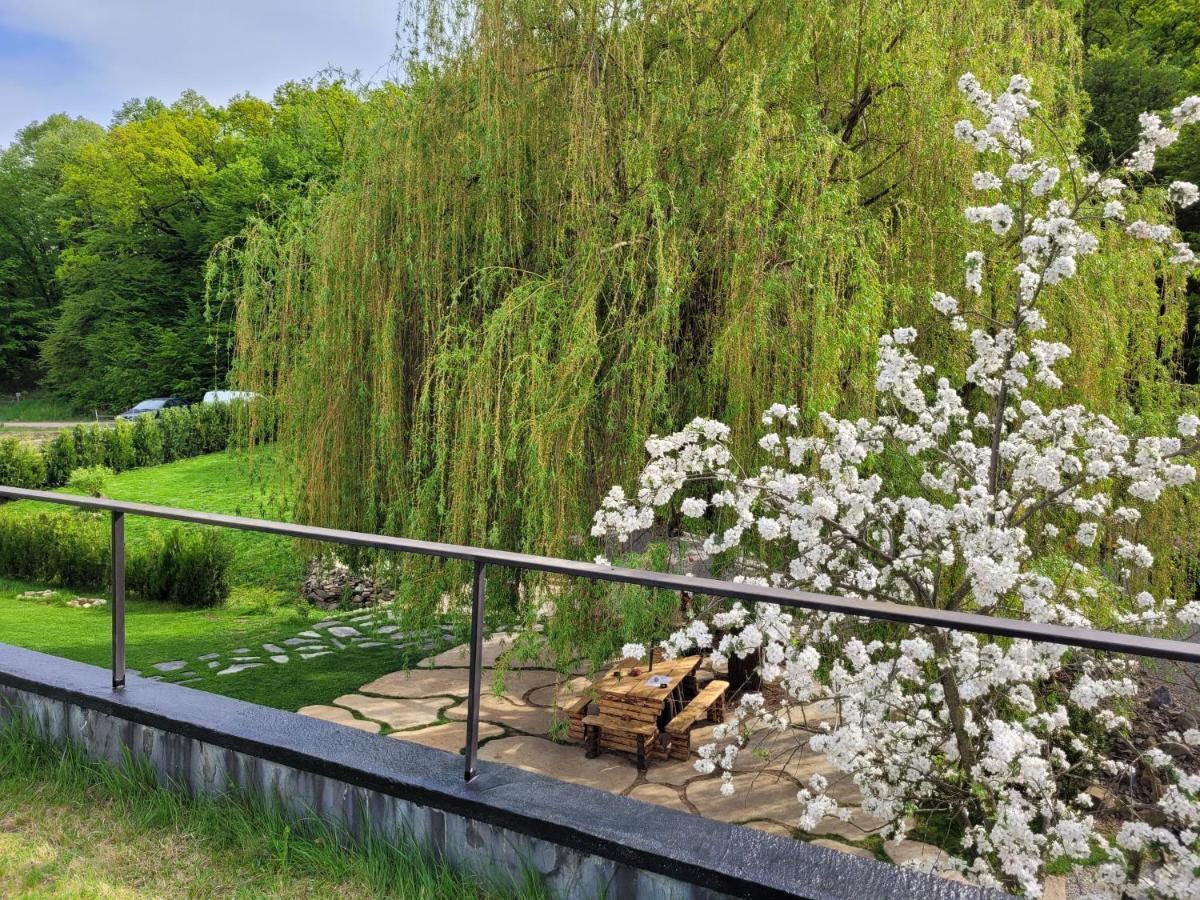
428,706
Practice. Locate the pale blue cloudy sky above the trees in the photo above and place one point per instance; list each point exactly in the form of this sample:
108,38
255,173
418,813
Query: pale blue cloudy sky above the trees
88,57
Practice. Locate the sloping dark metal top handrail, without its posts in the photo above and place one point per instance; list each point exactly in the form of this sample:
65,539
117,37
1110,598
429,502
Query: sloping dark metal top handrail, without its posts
979,623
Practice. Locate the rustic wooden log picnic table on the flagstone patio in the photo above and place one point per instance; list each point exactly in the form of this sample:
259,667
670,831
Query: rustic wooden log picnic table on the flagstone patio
634,709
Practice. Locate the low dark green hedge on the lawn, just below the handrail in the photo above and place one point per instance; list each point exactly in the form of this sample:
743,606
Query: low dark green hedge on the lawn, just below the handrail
187,566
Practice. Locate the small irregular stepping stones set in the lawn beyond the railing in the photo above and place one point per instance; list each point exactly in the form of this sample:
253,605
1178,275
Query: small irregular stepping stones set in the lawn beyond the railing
374,632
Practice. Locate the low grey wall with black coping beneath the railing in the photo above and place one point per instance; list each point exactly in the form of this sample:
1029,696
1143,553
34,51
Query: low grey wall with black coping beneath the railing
584,843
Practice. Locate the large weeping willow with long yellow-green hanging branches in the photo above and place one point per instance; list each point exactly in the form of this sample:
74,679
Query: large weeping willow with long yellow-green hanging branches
579,224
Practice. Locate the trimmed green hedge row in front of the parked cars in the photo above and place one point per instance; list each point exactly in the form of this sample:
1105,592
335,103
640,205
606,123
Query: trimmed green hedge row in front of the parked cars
179,434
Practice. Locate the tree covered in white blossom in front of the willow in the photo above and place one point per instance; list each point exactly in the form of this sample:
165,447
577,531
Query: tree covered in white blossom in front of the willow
1003,737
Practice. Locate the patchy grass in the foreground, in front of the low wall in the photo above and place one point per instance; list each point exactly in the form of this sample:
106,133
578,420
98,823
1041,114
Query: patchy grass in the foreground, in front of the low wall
73,827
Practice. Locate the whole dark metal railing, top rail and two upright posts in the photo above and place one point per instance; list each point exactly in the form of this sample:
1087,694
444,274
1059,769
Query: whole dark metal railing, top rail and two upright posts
977,623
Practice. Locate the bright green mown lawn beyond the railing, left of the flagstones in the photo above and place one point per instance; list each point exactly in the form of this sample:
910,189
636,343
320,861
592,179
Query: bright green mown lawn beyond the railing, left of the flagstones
263,608
